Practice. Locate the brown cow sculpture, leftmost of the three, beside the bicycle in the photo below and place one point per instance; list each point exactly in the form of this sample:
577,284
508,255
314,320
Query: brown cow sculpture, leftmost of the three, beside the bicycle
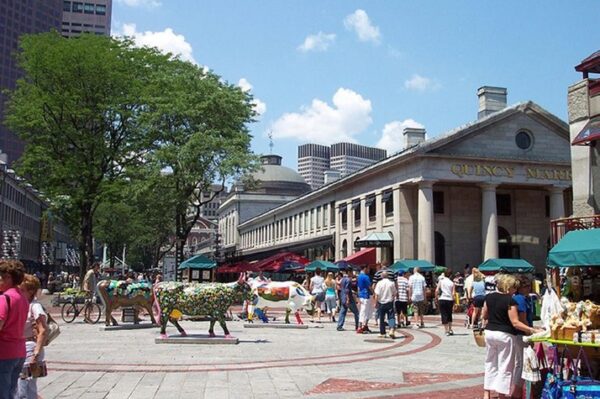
116,293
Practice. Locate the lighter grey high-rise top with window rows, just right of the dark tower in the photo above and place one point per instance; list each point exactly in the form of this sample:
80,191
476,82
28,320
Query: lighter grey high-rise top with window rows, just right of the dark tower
91,16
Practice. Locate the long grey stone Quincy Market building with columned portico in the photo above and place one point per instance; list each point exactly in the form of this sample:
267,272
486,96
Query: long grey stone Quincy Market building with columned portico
484,190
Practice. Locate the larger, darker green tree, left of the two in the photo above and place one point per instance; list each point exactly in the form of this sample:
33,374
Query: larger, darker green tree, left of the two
78,108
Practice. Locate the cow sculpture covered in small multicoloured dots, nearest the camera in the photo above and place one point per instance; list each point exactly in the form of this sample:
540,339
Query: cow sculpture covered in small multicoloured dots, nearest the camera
196,299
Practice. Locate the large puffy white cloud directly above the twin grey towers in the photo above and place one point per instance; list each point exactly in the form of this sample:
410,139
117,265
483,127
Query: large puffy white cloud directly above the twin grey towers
325,124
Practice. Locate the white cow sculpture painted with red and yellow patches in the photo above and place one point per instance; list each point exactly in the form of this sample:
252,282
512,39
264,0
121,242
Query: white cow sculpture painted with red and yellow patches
278,294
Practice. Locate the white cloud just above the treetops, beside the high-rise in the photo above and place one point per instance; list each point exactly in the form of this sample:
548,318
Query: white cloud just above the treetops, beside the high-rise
166,41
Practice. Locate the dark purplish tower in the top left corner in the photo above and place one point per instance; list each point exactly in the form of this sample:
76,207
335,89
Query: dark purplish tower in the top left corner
18,17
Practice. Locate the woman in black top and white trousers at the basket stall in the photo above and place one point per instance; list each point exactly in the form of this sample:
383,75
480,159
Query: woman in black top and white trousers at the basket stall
502,324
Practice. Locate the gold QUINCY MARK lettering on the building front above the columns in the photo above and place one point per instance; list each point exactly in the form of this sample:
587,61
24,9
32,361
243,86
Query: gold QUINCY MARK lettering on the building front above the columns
464,169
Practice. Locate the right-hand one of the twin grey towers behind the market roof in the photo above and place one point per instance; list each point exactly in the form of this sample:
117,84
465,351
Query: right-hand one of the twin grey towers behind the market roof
349,158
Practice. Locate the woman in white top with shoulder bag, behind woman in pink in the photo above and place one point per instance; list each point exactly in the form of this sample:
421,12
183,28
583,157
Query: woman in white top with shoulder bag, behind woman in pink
36,320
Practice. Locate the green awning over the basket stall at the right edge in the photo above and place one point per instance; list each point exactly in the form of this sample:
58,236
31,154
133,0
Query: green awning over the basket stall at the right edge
576,248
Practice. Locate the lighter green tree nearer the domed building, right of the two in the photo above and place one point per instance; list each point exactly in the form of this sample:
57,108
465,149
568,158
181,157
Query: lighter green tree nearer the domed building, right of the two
199,126
